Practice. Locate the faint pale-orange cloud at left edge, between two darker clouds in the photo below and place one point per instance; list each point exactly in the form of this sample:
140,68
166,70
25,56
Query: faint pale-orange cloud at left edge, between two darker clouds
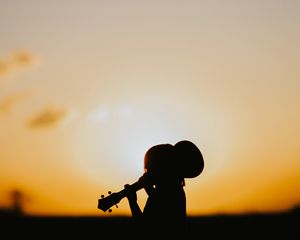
9,102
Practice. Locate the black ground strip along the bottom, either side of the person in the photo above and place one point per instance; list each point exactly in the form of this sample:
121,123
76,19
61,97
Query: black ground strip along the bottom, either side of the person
254,226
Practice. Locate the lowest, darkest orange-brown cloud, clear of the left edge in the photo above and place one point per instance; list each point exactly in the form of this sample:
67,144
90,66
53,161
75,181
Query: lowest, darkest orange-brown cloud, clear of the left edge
50,116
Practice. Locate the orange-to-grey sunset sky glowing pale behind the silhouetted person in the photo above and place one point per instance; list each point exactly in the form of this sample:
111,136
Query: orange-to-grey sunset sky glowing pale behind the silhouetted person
87,87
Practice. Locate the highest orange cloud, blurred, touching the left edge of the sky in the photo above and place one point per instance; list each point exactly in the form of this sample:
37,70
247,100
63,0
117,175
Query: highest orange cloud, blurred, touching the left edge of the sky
17,60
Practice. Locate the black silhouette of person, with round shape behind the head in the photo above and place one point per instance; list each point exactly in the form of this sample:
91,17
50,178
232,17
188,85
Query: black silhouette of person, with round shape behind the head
166,166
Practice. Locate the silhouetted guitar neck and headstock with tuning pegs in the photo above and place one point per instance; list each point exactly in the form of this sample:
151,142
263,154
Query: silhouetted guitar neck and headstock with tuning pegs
105,203
